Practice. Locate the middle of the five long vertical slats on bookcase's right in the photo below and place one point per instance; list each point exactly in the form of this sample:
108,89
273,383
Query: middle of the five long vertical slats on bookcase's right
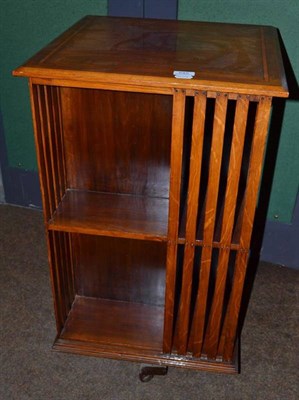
209,222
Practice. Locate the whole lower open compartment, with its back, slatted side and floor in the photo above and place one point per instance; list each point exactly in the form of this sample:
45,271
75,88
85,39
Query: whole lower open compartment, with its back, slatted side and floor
108,295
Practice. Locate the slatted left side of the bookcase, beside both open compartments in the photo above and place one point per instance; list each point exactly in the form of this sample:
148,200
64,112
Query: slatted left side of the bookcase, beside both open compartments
45,102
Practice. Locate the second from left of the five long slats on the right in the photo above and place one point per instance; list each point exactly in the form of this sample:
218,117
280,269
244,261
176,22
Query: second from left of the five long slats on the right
192,209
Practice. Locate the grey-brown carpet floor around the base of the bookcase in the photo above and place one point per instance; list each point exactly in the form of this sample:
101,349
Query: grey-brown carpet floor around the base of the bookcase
31,370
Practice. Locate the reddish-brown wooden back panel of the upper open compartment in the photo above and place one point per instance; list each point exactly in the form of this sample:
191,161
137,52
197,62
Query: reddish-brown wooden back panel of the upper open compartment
130,134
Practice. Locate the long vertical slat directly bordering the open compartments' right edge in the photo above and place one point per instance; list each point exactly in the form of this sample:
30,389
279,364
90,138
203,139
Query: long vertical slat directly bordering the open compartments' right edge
178,115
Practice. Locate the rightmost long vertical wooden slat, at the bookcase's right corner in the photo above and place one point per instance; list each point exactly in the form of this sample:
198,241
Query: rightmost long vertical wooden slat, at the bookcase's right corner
229,330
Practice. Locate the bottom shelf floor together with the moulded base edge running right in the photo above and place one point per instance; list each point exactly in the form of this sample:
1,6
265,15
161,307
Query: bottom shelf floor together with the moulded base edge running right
126,331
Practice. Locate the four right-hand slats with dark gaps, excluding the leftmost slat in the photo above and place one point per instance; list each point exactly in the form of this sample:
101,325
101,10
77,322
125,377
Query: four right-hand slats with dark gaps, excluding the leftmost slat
228,142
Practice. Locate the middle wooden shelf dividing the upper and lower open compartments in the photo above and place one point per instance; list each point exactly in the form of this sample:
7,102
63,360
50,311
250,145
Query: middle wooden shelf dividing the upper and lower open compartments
119,215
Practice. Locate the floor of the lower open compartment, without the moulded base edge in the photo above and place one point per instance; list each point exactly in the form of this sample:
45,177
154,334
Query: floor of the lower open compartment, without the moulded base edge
115,323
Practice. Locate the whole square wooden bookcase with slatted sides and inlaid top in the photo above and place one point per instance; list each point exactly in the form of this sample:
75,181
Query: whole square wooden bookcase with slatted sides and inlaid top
150,182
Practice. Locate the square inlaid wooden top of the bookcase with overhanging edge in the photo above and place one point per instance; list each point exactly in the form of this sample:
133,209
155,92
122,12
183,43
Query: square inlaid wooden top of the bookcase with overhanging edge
240,58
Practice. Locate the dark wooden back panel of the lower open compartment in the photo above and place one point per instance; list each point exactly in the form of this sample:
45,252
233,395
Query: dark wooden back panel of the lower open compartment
135,278
